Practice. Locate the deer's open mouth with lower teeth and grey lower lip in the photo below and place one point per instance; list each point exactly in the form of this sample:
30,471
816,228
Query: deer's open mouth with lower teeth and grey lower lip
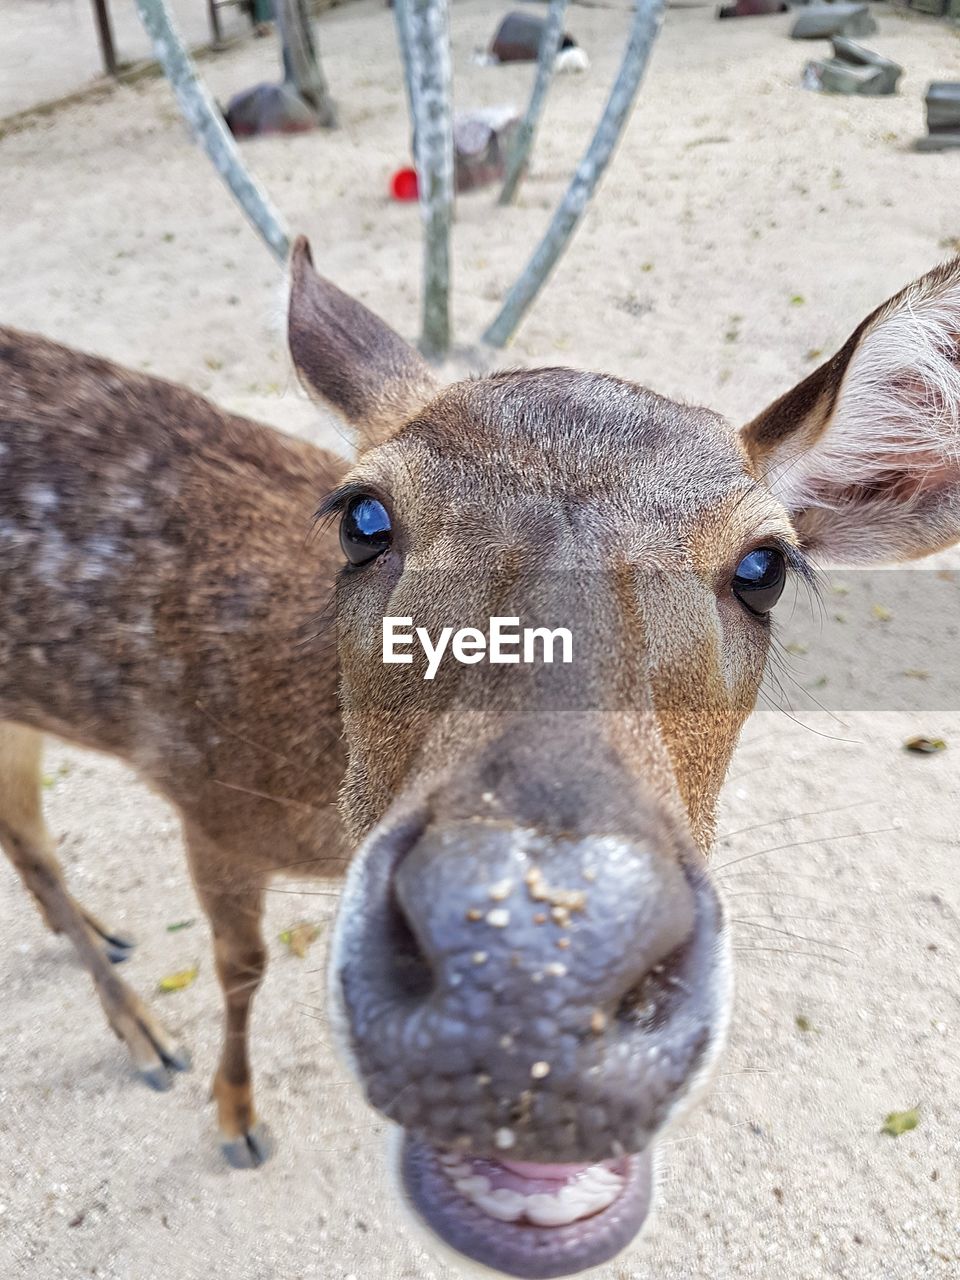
528,1220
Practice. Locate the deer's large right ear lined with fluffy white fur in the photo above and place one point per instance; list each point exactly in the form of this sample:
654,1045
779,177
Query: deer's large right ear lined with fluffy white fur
866,452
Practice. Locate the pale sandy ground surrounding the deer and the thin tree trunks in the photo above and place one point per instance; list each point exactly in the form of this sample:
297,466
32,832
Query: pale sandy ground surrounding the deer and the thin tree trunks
746,227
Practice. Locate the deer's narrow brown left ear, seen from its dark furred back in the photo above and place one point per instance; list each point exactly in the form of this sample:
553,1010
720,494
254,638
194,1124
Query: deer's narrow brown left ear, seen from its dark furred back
349,358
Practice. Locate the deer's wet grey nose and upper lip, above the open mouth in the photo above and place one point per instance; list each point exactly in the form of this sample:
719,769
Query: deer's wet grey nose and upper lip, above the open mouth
505,988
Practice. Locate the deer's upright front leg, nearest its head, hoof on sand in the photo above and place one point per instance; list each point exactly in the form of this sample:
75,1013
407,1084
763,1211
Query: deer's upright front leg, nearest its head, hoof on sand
235,913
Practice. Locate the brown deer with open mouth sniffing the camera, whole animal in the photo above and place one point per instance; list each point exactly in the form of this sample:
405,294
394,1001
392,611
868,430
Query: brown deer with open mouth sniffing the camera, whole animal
531,967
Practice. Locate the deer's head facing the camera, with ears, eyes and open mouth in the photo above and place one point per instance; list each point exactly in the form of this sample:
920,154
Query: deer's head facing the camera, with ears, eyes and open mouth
531,964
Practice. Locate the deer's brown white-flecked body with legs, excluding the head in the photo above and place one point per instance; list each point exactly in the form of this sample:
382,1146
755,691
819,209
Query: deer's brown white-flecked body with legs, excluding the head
118,496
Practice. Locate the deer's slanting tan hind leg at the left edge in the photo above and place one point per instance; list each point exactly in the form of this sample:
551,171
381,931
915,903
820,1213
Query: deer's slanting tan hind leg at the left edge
28,843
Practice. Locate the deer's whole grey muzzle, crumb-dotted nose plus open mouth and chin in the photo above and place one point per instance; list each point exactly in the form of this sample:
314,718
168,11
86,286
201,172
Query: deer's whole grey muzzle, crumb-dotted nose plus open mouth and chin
532,1007
